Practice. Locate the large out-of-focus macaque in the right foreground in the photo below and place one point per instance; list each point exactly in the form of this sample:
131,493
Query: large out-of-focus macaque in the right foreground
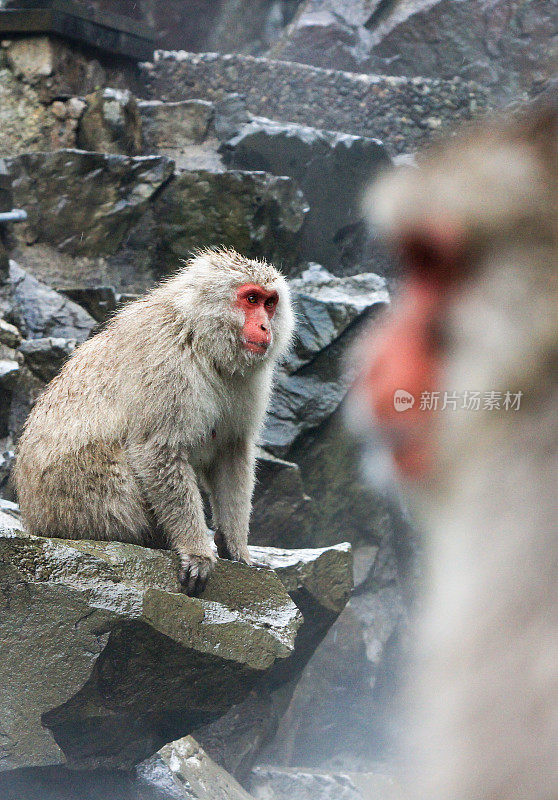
476,320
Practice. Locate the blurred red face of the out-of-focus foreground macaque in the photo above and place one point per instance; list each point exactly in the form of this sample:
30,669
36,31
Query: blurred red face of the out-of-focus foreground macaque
405,356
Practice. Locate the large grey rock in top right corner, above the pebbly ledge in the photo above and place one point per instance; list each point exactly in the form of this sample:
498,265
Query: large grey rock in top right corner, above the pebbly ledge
502,44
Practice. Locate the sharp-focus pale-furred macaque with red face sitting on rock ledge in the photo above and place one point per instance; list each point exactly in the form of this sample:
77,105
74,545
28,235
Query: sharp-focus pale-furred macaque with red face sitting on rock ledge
169,397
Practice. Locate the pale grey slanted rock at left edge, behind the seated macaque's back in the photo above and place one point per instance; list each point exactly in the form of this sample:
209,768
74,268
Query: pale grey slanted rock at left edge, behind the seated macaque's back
40,312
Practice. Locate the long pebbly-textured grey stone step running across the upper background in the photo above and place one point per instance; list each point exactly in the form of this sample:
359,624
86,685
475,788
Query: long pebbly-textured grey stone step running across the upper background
402,112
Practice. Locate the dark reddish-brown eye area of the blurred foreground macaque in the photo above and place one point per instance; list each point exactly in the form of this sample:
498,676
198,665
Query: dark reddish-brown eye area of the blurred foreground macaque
434,249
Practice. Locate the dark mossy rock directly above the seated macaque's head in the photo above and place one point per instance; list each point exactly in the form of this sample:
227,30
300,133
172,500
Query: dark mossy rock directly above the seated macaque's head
257,214
